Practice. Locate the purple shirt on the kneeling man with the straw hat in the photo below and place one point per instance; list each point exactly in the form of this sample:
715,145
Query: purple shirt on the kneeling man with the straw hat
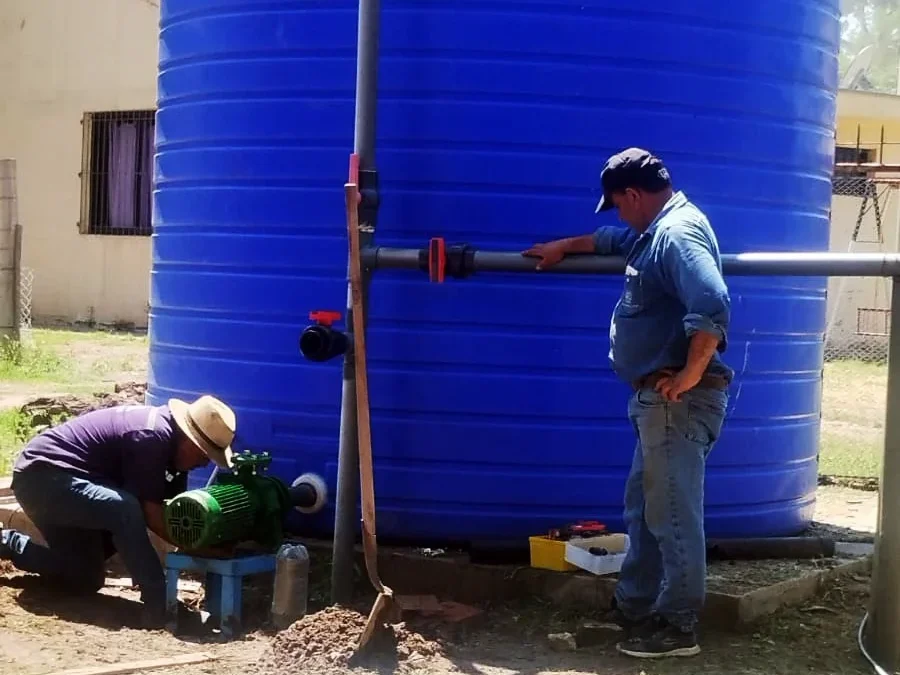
128,447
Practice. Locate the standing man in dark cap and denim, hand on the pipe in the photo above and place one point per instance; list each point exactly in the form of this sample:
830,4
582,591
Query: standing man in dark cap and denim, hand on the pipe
666,334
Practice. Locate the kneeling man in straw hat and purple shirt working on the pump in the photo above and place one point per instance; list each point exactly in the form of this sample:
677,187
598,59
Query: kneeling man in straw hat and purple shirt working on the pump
95,484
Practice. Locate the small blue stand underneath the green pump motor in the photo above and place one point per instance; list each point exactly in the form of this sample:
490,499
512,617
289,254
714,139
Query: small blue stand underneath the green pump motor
222,587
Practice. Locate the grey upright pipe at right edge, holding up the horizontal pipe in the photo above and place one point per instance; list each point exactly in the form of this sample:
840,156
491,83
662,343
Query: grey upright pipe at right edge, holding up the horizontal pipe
885,594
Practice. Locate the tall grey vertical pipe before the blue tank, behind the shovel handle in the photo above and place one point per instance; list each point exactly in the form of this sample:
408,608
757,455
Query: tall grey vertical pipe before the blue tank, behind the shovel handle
347,494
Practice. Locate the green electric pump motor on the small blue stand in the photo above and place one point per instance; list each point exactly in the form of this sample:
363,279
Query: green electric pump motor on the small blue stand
244,505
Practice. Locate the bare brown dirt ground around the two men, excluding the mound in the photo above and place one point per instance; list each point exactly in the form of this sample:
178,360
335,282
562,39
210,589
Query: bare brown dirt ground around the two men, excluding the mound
42,632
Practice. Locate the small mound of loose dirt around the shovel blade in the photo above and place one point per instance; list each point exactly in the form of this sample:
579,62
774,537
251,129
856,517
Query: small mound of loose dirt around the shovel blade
325,641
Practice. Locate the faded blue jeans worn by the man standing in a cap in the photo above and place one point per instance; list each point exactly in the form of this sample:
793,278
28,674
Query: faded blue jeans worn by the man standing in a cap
665,569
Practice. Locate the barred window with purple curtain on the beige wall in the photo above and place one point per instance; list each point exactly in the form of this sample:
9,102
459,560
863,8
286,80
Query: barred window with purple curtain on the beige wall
117,172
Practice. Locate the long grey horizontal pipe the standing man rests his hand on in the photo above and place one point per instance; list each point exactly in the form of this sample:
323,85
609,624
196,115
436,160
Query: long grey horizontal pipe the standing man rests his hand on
742,264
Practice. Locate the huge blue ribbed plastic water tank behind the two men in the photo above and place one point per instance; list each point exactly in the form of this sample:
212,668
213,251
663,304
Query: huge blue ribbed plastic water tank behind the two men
495,414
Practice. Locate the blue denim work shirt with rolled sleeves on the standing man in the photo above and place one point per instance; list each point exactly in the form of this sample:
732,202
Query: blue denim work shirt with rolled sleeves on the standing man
673,288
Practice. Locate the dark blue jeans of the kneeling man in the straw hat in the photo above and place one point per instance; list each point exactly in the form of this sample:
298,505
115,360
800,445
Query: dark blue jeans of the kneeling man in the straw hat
84,524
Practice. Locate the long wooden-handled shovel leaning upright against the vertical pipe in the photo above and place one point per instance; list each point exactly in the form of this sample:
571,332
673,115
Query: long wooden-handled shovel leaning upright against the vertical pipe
384,607
